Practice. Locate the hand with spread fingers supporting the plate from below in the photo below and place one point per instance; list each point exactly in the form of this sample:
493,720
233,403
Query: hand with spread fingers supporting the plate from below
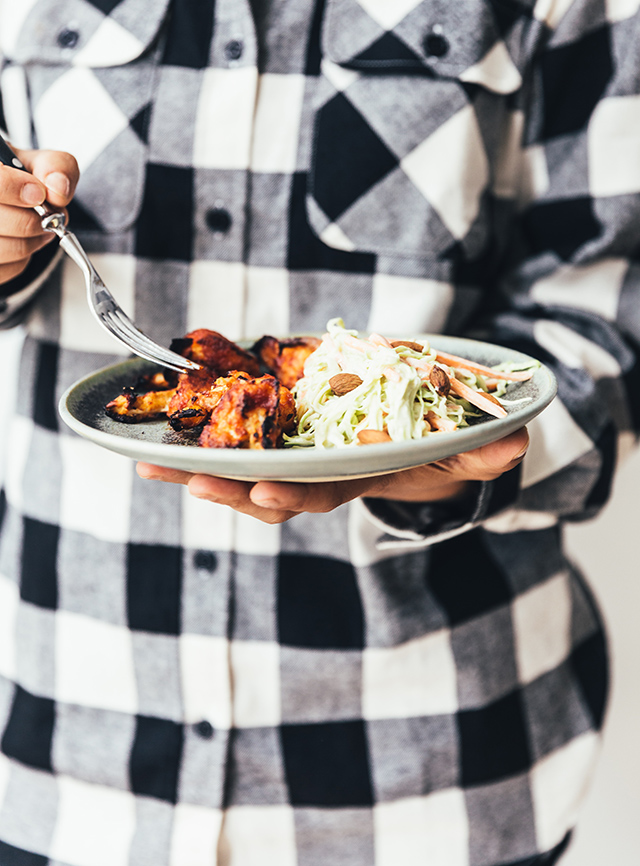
277,501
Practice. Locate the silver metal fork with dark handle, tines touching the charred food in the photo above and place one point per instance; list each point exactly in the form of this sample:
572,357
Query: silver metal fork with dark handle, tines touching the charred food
104,306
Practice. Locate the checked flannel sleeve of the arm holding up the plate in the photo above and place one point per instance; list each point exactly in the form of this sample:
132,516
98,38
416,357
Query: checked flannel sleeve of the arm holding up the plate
562,280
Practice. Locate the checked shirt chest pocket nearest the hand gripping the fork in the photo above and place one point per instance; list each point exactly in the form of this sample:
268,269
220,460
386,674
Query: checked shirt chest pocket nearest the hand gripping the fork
78,80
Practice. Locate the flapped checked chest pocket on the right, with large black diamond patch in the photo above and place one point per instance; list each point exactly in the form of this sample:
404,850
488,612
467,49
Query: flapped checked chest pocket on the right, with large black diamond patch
407,111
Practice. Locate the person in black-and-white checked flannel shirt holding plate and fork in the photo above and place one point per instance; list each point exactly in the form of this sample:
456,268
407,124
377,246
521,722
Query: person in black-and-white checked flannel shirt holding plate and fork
401,669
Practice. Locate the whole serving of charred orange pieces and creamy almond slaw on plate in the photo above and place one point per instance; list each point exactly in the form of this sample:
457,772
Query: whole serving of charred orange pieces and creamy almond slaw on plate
340,390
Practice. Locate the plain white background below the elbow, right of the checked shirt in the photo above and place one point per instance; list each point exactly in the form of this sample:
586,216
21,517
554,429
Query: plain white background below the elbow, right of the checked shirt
608,551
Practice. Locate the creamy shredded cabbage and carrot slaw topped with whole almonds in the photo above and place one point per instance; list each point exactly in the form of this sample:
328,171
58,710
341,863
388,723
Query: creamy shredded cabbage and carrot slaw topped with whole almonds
359,390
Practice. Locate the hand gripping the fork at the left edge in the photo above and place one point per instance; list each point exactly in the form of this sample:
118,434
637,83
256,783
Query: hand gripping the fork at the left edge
54,177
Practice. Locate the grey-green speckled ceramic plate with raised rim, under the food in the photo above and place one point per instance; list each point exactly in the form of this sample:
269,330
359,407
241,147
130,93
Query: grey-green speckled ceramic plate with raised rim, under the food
82,408
